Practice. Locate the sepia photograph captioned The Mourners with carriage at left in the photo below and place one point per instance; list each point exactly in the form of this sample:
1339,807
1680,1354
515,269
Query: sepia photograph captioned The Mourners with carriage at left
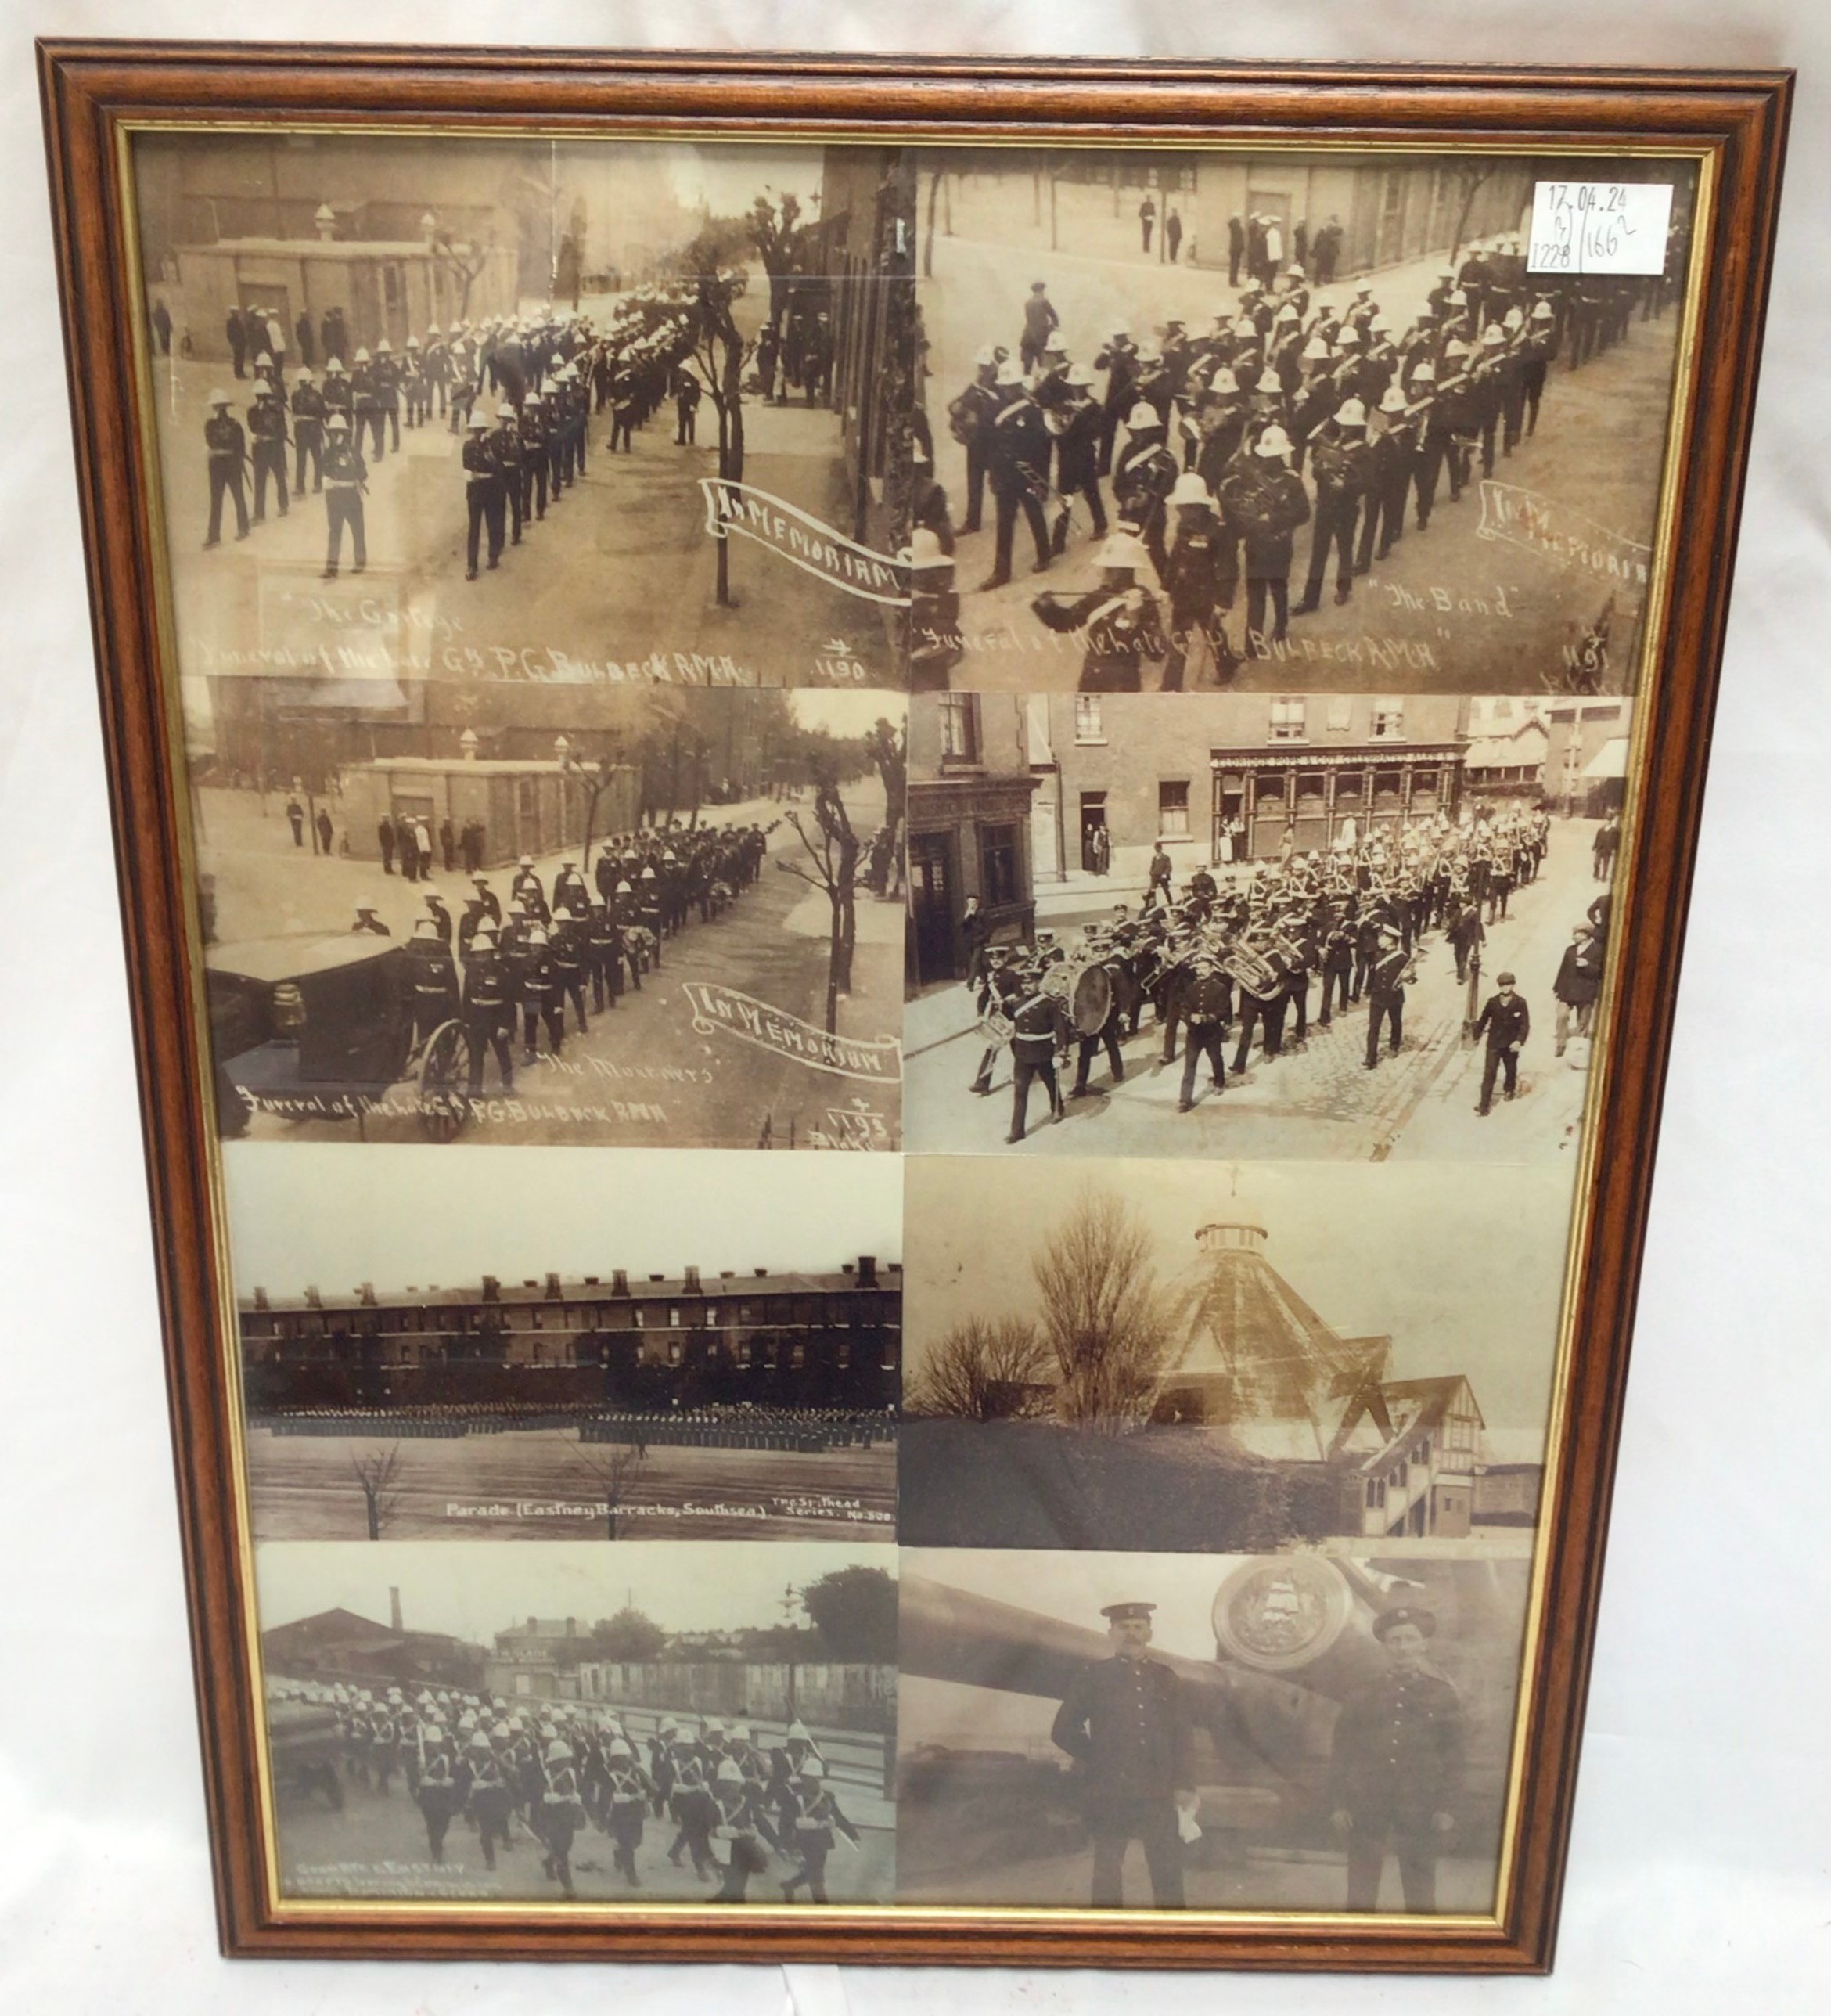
550,914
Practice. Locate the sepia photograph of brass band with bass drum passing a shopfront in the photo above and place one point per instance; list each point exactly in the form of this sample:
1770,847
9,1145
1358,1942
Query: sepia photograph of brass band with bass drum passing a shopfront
1122,906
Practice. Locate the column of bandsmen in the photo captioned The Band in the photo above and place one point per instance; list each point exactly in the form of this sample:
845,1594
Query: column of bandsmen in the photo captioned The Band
1292,410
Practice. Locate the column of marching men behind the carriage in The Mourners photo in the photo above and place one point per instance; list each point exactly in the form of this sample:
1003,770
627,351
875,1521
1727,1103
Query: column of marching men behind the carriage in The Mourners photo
529,967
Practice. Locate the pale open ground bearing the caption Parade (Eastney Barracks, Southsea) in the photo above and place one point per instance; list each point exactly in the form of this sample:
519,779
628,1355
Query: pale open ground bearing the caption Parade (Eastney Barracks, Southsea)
543,1485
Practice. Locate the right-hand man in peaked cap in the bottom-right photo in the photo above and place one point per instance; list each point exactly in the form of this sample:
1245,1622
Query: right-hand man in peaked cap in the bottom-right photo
1396,1765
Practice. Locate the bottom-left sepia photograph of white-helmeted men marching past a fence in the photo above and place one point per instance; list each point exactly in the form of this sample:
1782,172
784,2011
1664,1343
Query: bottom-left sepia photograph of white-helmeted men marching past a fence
582,1725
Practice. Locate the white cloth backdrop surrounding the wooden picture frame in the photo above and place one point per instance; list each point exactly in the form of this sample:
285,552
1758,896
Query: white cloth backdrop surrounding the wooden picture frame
1699,1868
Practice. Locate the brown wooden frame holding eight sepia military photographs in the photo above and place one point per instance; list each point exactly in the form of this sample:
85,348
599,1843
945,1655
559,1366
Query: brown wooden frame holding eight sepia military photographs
1130,646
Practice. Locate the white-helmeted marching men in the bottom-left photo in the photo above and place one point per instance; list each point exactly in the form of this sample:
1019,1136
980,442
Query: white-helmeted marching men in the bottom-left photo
739,1801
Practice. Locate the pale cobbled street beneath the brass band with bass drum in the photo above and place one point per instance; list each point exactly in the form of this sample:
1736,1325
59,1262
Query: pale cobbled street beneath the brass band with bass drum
1316,1102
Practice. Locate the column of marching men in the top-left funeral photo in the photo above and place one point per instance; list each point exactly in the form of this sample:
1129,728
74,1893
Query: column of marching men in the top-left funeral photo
519,390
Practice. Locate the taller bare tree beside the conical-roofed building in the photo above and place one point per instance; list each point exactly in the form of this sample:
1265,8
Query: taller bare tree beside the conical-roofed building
1102,1315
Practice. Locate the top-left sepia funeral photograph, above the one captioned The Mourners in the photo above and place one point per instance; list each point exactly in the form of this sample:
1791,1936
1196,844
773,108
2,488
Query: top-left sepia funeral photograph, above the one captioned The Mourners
604,412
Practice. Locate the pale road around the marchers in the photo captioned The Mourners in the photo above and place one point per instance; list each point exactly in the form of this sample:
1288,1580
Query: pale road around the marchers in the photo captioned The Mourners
644,1074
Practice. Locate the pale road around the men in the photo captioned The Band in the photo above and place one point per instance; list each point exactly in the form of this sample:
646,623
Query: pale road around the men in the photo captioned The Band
1449,612
